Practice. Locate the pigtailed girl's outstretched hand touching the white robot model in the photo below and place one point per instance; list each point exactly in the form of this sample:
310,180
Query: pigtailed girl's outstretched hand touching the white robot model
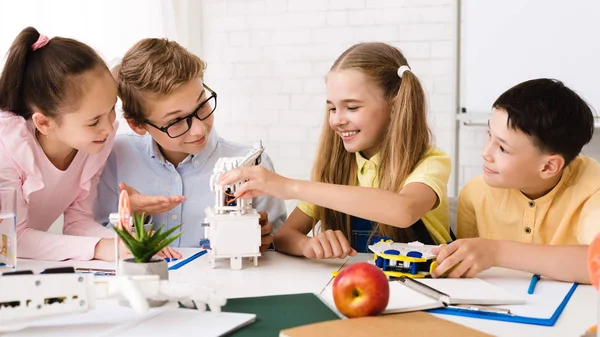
257,181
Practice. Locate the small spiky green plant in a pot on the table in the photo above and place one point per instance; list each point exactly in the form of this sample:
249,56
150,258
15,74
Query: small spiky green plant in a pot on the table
144,244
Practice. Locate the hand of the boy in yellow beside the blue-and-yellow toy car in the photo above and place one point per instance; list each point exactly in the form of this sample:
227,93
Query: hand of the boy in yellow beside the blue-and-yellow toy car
470,256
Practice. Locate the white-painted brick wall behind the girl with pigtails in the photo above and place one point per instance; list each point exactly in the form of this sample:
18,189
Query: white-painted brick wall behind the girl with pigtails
267,60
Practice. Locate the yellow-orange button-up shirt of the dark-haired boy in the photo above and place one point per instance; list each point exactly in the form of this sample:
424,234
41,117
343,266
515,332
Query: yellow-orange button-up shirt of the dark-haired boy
569,214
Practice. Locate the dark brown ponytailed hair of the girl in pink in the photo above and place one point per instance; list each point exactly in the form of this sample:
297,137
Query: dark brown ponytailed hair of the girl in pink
46,78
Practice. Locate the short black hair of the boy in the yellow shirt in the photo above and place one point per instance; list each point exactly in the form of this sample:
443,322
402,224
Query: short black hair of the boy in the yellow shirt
554,116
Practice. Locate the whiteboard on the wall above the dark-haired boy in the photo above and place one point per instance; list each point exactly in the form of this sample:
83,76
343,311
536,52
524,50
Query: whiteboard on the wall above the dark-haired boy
505,42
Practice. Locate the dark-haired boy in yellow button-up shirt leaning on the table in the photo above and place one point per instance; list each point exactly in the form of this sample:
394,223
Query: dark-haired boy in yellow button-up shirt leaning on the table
536,208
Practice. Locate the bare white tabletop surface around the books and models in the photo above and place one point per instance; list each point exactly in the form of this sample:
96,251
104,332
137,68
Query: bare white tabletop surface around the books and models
281,274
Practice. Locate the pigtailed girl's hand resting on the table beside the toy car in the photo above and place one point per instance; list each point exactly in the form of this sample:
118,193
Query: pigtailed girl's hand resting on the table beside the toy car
328,245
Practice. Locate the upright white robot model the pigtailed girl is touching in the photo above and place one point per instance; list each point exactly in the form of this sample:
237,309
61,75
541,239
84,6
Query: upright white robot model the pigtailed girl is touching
233,225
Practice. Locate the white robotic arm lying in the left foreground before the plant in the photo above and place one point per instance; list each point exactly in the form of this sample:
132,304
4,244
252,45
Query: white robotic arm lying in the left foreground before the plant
27,298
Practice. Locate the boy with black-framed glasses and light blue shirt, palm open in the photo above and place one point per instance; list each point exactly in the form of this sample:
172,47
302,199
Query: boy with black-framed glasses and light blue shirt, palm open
174,149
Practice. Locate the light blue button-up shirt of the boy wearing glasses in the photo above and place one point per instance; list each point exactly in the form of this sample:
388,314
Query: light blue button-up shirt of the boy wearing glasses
137,161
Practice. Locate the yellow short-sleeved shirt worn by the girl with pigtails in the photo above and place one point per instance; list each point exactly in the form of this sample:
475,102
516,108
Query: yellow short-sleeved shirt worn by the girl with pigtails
433,170
